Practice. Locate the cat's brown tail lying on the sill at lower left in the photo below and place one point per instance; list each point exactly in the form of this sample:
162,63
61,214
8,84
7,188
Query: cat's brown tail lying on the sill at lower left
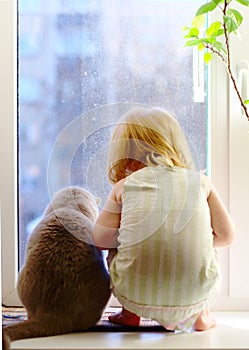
29,329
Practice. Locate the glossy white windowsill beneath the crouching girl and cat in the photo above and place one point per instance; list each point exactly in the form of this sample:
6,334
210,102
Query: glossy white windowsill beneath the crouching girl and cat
231,332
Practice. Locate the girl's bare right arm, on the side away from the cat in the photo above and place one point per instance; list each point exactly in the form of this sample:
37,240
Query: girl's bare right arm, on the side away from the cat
221,222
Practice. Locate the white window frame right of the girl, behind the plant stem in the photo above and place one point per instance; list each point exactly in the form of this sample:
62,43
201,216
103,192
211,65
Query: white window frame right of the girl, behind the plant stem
229,141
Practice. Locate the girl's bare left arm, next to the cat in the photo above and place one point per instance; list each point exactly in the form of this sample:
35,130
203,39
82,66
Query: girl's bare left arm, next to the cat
105,231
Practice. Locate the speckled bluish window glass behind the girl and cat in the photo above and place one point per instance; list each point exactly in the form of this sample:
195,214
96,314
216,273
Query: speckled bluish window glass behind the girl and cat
81,64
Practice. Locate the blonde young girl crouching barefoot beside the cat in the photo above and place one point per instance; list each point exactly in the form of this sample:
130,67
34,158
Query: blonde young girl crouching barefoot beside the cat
165,220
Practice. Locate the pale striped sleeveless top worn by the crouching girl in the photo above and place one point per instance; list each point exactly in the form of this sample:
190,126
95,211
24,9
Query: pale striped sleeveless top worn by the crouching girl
166,268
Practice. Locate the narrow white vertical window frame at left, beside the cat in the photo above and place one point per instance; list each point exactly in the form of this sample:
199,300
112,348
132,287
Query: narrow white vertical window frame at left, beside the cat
8,154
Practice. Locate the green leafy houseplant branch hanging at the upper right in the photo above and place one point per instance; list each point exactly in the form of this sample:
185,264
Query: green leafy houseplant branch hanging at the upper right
214,38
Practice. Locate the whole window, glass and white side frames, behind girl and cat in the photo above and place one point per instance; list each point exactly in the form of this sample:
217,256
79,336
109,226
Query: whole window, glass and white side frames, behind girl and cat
85,90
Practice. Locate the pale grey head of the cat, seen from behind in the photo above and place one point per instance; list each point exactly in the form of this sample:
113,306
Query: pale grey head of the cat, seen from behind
75,198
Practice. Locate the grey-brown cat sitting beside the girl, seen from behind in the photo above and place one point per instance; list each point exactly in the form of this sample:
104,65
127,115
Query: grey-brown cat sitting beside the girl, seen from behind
63,284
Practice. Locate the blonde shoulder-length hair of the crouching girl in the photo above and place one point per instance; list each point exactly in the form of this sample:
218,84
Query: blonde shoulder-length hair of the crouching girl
146,137
